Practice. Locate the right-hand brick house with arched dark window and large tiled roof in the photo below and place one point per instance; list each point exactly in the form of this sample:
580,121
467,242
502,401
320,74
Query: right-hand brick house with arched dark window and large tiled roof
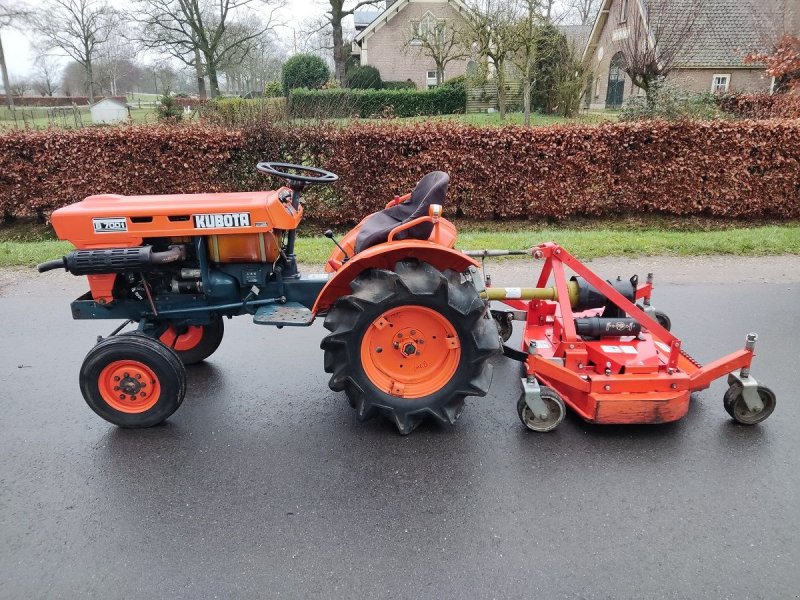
724,33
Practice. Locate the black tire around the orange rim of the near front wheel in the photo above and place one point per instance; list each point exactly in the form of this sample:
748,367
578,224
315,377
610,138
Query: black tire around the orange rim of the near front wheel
137,346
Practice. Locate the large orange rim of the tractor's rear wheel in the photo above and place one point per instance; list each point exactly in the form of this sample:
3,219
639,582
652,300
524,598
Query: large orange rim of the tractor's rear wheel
410,351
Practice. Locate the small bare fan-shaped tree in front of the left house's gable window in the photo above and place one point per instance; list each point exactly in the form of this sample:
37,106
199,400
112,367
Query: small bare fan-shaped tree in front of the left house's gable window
438,40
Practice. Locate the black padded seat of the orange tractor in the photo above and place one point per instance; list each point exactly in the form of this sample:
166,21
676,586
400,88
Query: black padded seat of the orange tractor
431,189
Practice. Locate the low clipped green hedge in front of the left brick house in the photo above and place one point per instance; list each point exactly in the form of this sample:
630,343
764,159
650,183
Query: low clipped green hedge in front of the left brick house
342,103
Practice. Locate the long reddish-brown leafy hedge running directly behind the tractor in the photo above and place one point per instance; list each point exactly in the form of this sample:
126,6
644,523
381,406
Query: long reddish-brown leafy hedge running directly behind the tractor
720,168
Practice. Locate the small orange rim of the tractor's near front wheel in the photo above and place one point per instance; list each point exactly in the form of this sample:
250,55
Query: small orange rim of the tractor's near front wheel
129,386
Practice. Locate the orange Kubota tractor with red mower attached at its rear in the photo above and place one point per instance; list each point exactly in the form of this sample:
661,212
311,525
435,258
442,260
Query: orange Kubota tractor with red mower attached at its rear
411,328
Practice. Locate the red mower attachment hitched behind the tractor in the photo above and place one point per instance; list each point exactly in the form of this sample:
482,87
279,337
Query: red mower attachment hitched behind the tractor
634,372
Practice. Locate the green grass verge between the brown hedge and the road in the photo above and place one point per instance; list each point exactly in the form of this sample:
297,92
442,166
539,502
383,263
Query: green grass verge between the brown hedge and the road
27,245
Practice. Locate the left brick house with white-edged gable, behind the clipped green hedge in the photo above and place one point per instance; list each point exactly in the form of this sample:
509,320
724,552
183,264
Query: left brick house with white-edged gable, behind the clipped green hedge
385,39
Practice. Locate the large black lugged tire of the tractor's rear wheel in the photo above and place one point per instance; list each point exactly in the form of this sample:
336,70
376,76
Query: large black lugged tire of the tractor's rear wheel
417,283
